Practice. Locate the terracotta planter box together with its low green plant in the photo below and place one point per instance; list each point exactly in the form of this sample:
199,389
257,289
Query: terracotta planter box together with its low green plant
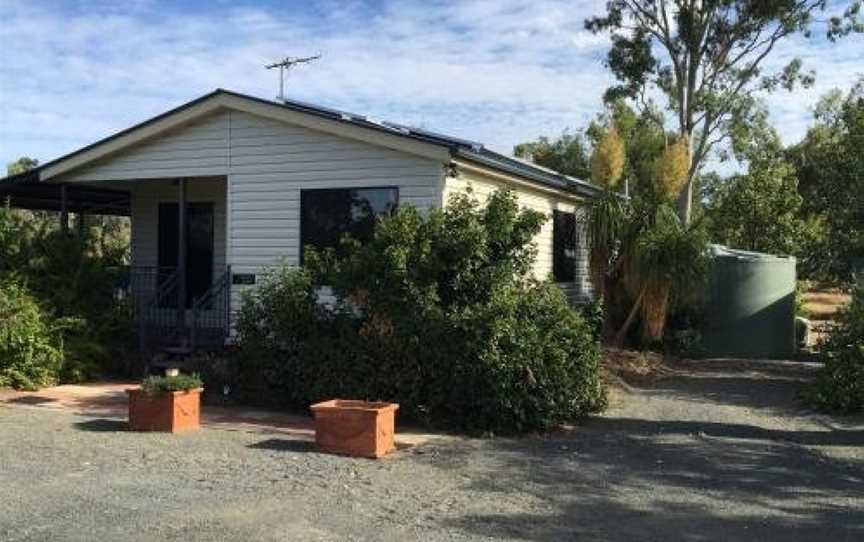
169,404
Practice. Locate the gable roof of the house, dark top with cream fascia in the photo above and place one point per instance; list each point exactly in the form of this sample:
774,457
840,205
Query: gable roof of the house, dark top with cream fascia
467,150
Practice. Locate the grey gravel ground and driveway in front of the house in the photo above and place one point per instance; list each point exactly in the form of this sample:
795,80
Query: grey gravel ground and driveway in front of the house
718,451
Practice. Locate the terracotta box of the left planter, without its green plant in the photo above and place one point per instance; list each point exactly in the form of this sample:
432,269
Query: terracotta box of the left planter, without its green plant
170,412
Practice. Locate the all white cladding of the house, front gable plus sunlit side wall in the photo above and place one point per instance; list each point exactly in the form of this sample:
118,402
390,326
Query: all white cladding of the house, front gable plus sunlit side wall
252,161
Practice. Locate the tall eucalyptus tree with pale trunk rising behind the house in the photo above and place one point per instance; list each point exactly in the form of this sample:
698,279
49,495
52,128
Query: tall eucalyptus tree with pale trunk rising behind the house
708,58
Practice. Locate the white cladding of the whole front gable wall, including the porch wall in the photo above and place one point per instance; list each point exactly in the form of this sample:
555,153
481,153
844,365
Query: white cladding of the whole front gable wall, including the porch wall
264,163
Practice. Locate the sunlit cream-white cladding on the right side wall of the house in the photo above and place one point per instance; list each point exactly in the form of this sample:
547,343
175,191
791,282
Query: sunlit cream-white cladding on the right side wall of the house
481,186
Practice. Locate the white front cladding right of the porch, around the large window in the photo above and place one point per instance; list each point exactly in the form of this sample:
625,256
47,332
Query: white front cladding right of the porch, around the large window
270,162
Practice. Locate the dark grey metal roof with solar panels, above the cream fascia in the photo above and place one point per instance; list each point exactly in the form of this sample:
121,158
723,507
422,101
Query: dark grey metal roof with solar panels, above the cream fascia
462,148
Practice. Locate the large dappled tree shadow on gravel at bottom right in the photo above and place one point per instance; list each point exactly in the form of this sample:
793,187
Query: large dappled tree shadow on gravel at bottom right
626,481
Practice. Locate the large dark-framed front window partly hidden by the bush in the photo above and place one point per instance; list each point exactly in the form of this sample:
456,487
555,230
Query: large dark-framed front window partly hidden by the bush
326,215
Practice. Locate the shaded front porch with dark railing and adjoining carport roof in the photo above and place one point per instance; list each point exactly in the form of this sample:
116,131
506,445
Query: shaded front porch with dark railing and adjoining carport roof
177,286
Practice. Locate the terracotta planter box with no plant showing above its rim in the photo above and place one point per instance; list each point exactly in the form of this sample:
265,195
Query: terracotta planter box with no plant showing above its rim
357,428
